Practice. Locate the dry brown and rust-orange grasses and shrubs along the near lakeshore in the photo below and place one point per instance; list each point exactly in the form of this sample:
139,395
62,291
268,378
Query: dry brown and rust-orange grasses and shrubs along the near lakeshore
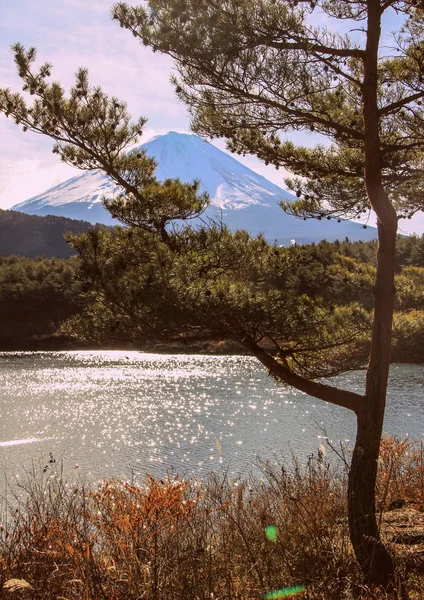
186,539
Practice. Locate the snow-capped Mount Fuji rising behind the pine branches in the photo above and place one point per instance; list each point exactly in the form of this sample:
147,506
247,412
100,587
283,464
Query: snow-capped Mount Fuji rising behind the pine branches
241,197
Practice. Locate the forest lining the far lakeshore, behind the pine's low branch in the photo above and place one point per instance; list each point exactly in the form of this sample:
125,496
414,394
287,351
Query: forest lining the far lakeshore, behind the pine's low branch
50,302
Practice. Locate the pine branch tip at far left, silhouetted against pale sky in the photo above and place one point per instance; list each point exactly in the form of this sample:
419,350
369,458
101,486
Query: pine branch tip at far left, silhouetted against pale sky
90,129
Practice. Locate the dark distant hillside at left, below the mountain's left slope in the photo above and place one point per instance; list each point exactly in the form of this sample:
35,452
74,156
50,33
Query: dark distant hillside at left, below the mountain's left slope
30,235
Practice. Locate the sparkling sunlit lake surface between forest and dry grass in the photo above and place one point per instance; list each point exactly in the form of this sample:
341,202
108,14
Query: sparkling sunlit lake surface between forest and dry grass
119,413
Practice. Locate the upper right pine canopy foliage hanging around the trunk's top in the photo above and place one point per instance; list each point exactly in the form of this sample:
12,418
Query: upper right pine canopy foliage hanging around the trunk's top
252,71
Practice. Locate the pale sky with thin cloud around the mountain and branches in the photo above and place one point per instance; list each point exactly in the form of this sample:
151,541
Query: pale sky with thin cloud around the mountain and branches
74,33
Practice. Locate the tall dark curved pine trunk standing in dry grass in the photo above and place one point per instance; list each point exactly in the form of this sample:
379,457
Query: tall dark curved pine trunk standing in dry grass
377,564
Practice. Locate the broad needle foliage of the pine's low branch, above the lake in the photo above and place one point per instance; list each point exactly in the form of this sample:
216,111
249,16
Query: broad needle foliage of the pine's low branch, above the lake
210,282
